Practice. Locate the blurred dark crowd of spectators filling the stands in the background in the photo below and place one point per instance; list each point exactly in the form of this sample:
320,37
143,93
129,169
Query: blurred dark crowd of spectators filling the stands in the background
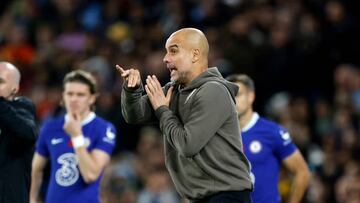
302,54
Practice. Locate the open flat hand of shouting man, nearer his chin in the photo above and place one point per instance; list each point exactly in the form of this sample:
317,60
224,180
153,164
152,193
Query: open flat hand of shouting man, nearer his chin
156,94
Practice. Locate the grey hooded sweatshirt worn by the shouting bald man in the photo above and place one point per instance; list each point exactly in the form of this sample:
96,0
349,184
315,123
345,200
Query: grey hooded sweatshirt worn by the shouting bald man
203,149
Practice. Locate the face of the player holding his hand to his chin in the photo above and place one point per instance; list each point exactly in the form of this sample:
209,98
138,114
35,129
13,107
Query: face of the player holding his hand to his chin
77,98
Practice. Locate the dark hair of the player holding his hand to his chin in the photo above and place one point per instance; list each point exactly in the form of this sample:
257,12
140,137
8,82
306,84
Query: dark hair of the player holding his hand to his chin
82,76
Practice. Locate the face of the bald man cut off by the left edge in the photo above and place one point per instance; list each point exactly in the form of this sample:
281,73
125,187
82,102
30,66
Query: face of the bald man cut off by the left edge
7,86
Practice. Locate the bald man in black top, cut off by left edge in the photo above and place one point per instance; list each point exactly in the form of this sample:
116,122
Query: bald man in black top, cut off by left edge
17,137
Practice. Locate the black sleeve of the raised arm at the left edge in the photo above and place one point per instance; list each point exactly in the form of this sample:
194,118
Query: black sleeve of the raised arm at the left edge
19,118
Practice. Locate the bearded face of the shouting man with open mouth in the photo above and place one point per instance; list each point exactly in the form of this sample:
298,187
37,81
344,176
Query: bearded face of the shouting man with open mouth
178,59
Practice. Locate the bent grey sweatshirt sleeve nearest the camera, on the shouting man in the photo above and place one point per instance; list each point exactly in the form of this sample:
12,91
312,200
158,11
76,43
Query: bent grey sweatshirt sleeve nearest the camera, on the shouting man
210,108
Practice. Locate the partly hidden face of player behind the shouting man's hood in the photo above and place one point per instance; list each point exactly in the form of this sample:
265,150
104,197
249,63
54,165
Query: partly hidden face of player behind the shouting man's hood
244,99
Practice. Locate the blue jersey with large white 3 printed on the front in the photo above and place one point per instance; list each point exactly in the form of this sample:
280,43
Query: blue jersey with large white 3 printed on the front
66,183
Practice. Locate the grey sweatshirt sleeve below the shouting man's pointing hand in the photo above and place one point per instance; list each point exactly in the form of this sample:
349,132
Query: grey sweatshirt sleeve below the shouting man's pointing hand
135,107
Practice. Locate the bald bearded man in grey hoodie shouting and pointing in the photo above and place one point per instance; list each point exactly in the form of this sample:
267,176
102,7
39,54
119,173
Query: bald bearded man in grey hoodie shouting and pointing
197,116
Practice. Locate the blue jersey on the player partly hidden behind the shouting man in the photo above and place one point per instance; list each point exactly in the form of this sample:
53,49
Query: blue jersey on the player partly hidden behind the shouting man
266,144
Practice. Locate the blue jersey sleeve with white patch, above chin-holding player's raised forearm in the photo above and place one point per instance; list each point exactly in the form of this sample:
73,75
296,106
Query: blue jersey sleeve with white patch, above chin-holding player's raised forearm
107,139
